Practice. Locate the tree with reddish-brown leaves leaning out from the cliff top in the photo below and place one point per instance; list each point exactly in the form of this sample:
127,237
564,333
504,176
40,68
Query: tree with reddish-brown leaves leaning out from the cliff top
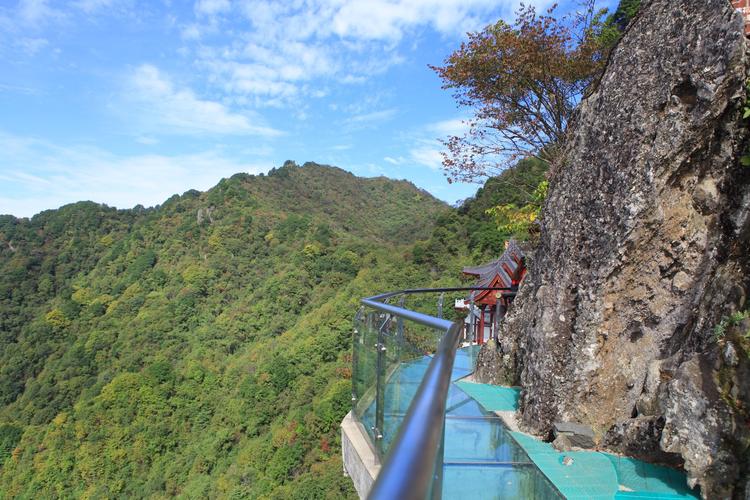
523,83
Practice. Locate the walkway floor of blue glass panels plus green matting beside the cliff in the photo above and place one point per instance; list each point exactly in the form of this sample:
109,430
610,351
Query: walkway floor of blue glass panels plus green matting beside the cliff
483,459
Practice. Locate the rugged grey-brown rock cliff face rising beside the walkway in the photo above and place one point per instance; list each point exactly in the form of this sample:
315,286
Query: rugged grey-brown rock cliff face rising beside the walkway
644,249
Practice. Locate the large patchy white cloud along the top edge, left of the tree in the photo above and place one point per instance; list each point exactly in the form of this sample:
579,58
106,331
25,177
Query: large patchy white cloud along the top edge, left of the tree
291,49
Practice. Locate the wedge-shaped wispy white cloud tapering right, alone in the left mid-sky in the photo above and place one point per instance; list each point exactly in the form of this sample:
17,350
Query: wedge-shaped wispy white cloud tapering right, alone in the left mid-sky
158,104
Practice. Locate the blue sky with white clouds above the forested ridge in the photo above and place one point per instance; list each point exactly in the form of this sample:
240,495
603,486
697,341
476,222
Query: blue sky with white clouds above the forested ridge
127,102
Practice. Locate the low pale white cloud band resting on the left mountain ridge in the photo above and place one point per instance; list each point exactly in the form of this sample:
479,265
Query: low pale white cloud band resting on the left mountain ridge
68,174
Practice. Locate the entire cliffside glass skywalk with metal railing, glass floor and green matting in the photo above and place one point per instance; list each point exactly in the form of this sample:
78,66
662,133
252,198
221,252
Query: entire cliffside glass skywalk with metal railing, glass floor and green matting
409,396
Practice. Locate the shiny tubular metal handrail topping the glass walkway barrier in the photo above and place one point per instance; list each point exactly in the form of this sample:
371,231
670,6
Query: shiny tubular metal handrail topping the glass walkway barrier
412,469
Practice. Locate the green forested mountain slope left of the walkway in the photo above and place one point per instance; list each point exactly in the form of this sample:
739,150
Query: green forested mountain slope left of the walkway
202,348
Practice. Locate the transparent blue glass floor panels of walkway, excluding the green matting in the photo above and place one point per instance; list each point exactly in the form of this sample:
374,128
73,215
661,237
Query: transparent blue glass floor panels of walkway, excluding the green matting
481,459
